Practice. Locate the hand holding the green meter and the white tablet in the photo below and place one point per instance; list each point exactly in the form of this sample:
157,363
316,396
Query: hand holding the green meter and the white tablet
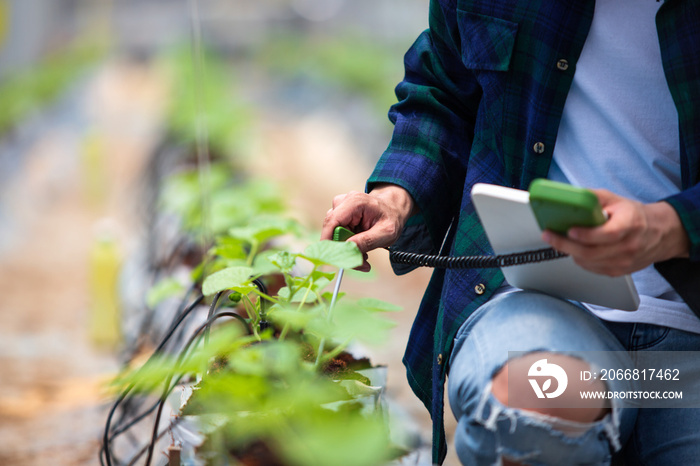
634,236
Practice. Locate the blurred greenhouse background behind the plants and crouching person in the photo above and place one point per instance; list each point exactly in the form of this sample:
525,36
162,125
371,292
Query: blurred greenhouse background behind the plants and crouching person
100,101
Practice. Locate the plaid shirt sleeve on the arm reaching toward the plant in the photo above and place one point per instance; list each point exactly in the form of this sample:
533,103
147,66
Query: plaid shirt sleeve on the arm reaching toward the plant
433,123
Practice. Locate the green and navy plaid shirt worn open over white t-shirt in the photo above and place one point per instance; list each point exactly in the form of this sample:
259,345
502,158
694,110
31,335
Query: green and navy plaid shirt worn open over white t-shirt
481,101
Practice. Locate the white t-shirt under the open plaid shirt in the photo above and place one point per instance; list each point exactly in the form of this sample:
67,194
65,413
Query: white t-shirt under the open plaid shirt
619,131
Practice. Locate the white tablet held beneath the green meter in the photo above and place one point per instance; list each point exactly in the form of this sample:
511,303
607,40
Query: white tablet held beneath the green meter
511,227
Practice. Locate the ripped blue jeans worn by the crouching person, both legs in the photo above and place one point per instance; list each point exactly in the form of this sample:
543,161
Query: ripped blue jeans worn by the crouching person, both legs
533,322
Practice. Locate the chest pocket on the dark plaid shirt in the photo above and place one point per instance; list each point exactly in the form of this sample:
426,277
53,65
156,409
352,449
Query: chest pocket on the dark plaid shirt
487,42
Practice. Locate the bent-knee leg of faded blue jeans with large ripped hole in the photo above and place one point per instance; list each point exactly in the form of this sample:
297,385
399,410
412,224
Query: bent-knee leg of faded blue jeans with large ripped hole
530,322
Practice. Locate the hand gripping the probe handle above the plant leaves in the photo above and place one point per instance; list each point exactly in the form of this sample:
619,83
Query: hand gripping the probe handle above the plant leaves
376,218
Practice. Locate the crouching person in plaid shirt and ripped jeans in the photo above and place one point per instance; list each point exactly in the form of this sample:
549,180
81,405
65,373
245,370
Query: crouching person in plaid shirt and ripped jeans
603,94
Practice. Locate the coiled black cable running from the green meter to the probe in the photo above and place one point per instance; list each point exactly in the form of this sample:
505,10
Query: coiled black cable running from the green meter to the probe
474,262
